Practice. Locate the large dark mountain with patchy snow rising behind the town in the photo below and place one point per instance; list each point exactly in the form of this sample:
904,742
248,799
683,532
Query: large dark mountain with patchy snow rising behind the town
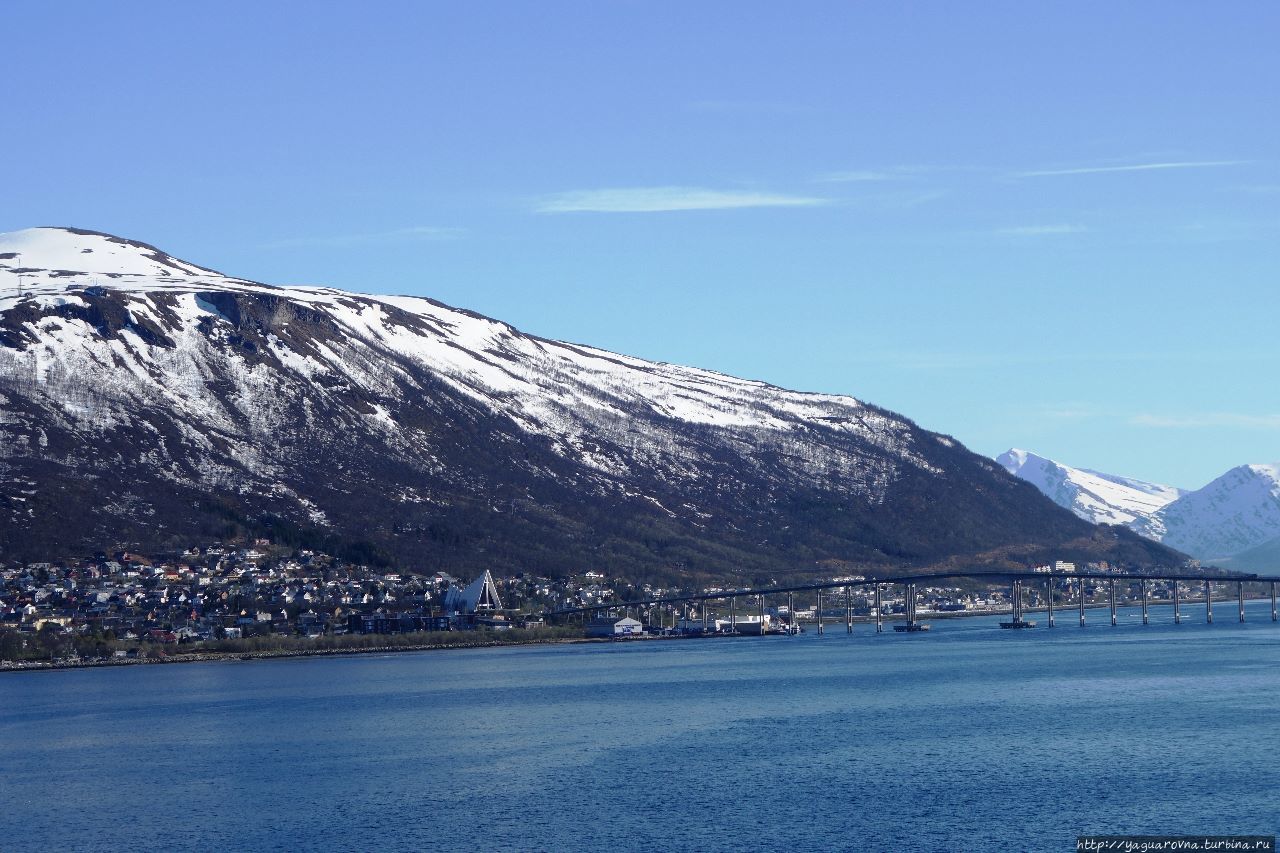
147,402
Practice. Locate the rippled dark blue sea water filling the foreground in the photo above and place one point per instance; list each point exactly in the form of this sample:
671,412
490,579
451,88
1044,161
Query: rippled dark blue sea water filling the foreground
967,738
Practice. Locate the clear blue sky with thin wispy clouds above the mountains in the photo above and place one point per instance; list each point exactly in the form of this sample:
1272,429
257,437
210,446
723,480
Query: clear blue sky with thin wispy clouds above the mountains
1052,226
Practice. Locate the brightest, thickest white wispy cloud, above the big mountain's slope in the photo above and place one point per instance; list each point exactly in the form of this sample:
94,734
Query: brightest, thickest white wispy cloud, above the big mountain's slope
668,199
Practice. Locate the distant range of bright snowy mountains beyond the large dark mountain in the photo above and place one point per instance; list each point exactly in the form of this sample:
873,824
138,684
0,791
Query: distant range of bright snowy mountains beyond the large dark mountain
1235,521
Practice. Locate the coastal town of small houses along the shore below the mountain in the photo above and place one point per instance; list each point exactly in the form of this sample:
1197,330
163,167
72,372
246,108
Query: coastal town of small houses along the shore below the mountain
124,608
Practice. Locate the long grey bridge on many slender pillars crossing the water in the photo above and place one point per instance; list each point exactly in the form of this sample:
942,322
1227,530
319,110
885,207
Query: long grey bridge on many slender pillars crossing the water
1021,583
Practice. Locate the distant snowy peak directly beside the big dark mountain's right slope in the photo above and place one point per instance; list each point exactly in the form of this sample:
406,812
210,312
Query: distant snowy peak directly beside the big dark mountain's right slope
1101,499
